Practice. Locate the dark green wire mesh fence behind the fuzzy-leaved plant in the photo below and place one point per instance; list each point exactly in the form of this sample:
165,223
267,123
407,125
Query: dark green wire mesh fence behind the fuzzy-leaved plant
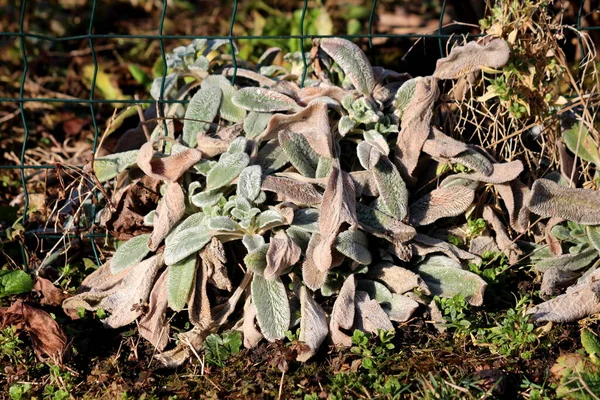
92,101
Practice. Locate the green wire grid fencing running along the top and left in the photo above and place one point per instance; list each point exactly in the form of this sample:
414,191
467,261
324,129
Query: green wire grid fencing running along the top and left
91,102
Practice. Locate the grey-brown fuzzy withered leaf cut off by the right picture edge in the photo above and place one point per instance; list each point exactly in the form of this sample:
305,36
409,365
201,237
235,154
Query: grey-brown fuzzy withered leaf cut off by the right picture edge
549,199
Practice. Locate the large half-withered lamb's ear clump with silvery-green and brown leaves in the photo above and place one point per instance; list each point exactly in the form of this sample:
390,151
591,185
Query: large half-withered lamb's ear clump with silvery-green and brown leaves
273,197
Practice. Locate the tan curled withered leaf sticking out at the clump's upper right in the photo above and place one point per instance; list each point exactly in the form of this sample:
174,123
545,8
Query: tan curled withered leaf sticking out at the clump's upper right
471,58
